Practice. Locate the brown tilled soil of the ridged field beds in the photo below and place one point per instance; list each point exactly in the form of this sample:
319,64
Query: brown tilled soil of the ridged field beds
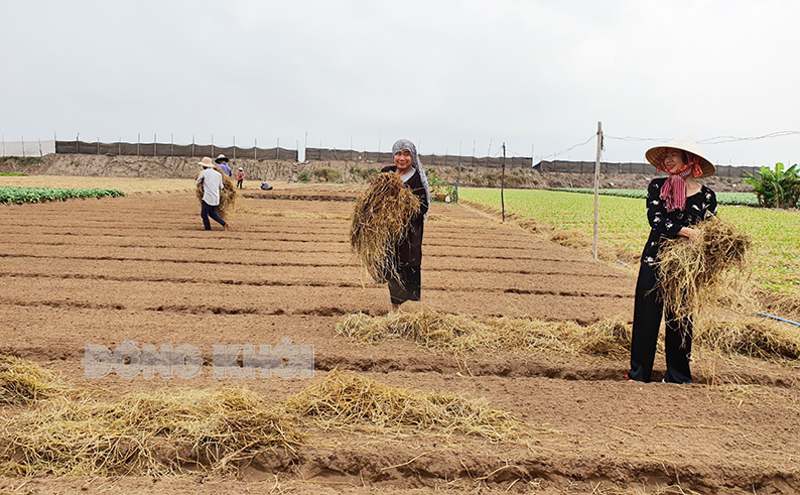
142,268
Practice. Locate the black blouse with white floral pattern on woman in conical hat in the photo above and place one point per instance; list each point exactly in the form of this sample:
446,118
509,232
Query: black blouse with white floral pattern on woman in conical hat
666,225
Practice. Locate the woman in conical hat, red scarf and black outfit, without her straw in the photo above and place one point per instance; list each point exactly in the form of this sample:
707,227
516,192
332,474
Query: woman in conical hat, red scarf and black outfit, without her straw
674,205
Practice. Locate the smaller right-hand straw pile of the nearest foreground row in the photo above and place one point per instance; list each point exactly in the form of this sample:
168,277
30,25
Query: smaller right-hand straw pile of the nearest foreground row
350,401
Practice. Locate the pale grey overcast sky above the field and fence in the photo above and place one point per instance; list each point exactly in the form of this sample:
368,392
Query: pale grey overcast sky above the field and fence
535,74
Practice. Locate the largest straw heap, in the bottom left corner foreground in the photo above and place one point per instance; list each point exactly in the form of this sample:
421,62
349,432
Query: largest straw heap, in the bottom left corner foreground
152,433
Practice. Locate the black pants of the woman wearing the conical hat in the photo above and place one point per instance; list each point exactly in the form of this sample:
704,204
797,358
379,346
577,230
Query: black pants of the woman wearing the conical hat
647,312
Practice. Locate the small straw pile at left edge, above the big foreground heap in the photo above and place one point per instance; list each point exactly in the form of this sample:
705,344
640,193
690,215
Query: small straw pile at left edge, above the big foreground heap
23,382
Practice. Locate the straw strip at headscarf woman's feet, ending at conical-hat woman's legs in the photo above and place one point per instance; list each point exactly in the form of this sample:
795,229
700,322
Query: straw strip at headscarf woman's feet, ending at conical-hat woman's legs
464,332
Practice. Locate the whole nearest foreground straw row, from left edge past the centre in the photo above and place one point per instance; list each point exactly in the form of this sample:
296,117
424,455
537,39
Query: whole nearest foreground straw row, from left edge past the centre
176,431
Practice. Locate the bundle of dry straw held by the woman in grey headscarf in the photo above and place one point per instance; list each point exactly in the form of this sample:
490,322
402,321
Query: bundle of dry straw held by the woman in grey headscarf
381,217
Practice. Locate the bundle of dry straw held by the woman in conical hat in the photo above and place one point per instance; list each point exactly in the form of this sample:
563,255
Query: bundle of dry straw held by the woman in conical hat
694,275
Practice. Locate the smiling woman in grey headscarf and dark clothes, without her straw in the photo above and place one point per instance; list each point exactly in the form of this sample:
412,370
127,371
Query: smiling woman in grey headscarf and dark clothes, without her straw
406,285
